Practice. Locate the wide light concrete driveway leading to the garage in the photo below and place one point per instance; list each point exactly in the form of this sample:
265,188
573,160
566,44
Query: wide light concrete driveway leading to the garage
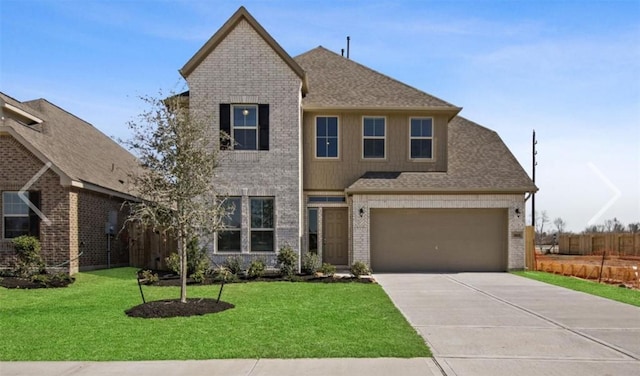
502,324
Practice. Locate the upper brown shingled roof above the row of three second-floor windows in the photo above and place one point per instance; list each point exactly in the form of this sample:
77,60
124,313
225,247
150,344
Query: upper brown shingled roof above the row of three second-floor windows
339,83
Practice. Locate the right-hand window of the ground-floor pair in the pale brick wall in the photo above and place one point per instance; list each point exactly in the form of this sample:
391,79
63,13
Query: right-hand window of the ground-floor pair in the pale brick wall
262,239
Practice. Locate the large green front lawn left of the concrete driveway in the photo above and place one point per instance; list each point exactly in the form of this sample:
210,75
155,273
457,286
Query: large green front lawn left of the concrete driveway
86,321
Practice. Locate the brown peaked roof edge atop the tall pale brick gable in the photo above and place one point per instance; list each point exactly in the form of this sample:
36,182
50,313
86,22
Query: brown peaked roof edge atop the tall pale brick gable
221,34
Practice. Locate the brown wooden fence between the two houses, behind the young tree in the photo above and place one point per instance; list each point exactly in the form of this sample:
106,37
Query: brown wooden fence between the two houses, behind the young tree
148,249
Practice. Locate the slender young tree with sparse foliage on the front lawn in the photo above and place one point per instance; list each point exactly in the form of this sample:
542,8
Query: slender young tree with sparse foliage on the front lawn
175,180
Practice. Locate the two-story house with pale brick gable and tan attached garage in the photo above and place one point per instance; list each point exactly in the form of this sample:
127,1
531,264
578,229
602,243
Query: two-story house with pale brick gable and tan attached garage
329,156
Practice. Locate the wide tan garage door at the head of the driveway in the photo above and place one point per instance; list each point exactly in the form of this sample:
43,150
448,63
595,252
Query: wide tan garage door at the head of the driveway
438,240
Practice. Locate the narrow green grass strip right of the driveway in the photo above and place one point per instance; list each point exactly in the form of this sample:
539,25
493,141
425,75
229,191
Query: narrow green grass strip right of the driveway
590,287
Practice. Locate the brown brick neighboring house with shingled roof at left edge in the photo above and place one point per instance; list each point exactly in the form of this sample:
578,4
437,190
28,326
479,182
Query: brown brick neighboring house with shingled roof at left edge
75,178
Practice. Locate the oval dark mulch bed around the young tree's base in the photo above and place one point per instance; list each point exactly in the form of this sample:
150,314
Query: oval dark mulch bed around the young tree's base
174,308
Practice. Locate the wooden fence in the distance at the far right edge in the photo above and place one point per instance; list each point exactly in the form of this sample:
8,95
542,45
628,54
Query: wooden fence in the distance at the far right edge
625,244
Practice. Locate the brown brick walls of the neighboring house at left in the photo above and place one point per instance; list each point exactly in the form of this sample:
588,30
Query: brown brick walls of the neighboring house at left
71,212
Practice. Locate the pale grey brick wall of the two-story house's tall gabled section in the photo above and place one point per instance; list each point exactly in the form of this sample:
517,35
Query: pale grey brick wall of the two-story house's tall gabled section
244,69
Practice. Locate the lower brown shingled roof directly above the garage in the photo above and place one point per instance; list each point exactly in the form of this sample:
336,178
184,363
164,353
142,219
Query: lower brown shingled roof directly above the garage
478,162
